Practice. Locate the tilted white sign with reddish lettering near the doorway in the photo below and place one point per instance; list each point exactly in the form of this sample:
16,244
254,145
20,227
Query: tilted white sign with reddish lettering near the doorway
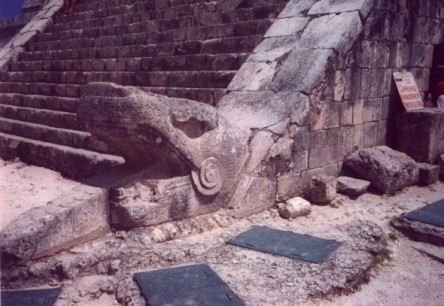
408,91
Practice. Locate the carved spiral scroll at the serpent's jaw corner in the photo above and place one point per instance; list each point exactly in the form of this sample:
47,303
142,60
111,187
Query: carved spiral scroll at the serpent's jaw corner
208,179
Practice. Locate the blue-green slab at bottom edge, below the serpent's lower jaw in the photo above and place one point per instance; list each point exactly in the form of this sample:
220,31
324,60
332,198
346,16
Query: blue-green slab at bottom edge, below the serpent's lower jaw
188,285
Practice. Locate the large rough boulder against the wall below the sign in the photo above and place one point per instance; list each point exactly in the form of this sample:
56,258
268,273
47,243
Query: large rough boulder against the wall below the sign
386,169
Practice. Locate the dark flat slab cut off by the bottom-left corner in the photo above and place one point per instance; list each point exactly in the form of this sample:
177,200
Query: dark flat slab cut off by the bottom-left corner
30,297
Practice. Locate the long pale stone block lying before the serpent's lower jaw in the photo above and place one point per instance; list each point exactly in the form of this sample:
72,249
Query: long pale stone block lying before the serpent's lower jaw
75,217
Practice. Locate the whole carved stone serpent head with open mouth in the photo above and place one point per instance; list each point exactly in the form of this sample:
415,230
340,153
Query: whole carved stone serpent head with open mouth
182,157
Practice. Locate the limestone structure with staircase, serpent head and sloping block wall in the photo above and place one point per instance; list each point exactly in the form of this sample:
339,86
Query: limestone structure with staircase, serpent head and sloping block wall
284,89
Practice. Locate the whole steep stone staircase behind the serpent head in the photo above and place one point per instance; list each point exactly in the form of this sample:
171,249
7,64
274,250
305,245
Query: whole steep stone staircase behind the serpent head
180,48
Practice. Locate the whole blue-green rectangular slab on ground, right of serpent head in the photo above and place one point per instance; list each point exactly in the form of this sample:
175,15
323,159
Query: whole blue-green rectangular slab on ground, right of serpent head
286,243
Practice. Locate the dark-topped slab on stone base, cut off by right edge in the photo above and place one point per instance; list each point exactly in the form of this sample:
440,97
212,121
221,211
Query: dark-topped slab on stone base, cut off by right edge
425,224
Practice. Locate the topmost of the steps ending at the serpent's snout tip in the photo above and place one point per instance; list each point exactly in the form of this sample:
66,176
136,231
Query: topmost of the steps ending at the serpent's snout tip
43,89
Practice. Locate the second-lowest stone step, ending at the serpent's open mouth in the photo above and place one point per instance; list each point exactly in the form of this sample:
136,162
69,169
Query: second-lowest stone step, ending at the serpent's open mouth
65,137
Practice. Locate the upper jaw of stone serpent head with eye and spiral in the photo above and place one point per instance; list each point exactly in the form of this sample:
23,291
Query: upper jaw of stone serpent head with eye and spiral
182,136
